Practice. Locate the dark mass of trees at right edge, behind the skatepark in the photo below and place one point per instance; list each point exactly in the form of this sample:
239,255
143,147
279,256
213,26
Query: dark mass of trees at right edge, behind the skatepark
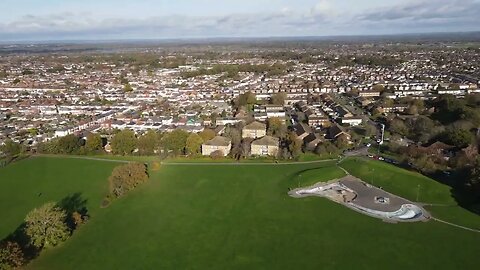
454,122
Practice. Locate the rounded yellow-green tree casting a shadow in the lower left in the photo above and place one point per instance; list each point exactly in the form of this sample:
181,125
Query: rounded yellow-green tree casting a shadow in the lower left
46,227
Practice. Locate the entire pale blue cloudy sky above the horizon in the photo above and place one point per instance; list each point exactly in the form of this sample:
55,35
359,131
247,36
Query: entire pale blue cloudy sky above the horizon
159,19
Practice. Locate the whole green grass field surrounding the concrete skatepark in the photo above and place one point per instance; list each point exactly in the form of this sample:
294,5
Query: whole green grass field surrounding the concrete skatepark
236,217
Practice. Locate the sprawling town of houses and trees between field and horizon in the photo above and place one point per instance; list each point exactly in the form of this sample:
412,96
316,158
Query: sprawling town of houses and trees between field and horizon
417,102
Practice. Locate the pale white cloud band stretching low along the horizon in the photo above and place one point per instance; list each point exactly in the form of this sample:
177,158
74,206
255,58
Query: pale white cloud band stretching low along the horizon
323,18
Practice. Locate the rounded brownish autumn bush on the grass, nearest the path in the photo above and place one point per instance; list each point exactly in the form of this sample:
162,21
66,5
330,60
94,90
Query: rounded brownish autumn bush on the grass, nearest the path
126,177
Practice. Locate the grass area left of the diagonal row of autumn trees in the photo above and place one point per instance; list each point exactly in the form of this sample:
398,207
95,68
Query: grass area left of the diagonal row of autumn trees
32,182
